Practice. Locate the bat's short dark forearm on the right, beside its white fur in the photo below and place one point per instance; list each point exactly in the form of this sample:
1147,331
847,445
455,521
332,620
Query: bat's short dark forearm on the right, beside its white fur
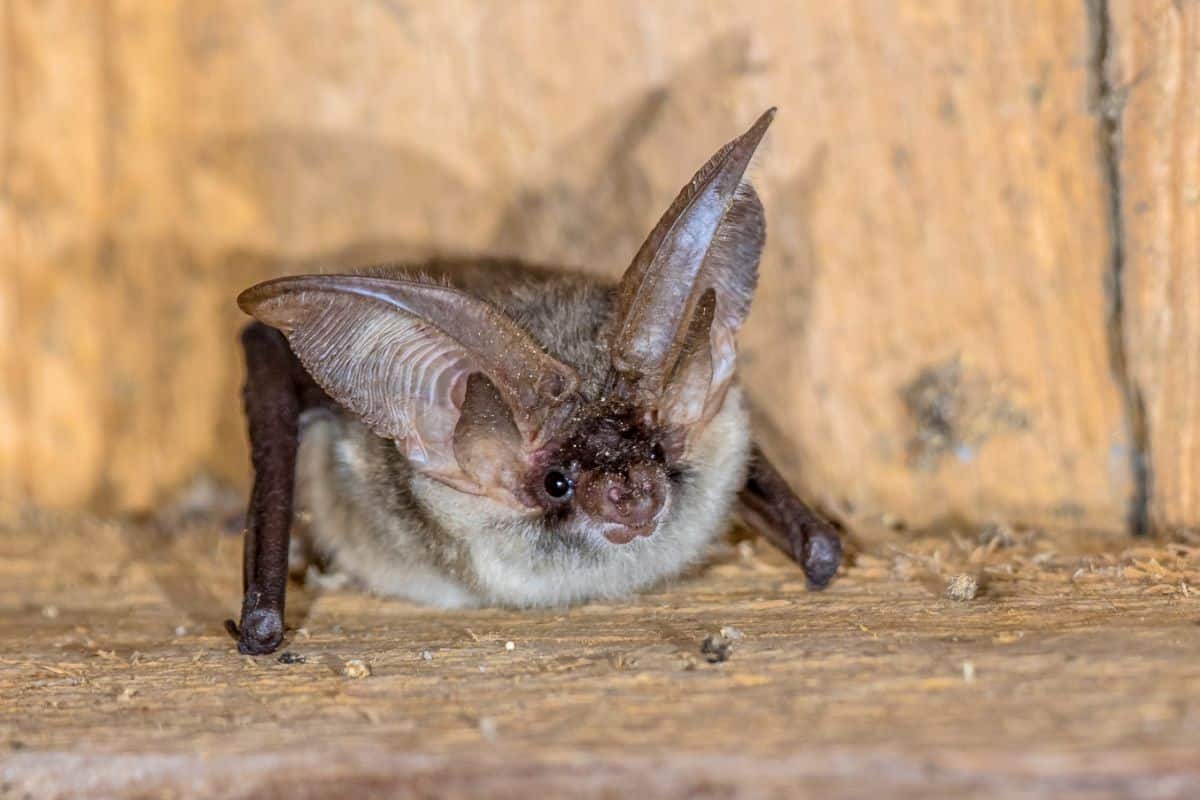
769,506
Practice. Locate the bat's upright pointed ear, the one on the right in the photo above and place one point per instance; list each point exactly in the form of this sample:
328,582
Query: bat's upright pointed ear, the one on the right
688,291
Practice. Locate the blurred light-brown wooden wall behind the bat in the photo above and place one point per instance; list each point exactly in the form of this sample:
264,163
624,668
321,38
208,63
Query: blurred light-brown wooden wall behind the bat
981,297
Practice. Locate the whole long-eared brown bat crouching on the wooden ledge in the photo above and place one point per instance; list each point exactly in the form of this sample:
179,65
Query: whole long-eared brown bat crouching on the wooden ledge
493,434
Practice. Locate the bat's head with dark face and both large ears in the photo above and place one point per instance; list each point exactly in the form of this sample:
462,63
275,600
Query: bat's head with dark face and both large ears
481,402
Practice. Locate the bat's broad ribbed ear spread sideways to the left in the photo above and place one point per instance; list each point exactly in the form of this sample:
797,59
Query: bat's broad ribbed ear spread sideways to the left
452,380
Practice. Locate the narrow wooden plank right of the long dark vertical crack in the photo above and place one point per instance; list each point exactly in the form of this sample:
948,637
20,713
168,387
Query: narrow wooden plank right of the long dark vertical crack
1155,71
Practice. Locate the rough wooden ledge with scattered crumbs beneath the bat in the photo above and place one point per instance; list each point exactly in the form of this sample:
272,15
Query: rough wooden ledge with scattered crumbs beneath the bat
1073,673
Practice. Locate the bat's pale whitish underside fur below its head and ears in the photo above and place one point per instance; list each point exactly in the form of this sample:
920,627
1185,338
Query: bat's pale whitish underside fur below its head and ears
501,562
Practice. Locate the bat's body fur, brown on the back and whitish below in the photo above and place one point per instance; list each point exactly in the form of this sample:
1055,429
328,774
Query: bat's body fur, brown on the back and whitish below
399,533
